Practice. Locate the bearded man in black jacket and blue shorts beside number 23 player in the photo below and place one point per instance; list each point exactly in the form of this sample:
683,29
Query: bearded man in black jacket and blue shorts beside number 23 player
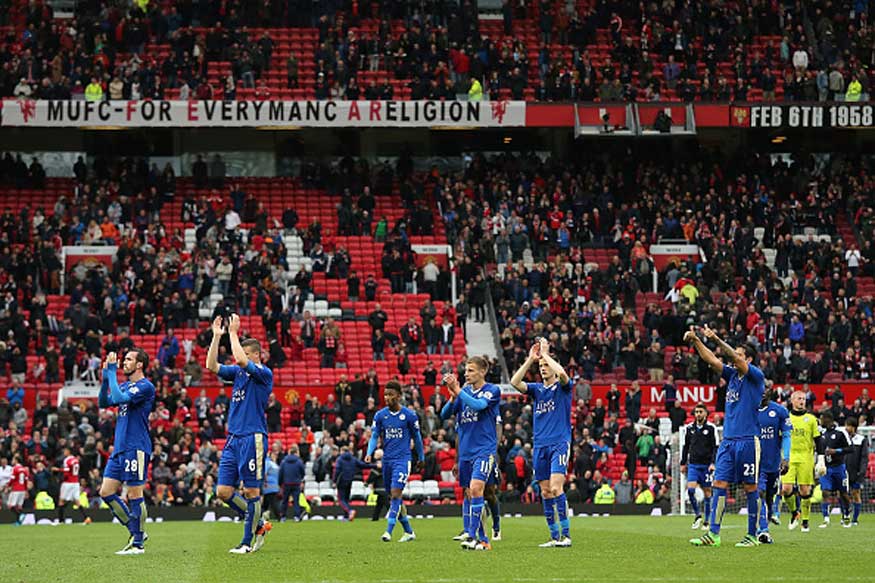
697,461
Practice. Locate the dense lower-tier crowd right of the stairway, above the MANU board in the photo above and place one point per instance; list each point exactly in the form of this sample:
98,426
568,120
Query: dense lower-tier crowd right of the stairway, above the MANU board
530,224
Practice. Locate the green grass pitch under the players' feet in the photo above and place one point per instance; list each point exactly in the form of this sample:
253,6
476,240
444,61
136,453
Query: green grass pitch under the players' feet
605,549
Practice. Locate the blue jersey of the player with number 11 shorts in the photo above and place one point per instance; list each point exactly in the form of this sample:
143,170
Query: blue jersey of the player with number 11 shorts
477,434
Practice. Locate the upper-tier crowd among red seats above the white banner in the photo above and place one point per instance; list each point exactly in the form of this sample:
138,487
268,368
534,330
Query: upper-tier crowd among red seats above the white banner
705,51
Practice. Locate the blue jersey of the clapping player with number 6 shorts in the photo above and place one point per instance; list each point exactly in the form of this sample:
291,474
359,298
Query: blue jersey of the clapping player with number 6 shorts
252,387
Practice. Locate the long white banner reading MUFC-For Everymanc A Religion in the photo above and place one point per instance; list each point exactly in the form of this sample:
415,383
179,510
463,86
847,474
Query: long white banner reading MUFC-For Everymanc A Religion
278,114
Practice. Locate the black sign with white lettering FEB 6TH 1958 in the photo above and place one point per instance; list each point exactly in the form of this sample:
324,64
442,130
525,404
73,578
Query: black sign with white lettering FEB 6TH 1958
837,115
